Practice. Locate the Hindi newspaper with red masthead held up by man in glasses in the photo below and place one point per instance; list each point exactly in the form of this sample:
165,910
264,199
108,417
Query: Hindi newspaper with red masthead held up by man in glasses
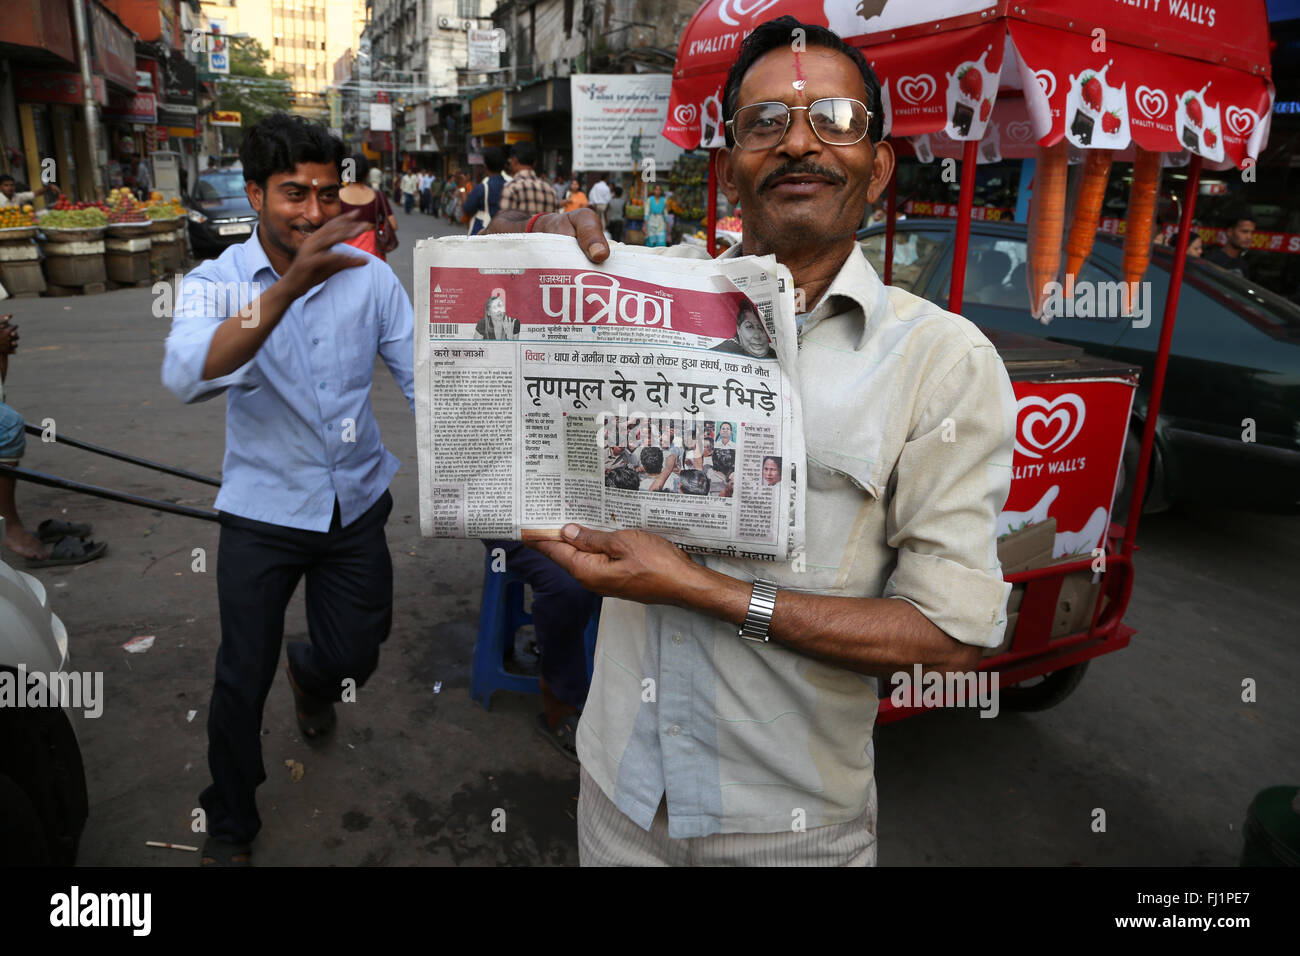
648,392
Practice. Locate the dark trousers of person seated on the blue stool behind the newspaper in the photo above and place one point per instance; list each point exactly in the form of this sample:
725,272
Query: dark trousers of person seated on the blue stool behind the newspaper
561,612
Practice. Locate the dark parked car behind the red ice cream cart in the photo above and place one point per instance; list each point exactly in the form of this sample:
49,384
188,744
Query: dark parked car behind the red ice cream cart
1229,427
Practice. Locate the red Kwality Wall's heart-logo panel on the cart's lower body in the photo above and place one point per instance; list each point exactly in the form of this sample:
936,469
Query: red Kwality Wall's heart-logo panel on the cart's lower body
1069,440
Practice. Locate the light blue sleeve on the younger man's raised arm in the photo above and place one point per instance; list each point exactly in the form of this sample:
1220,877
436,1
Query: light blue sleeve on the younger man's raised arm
201,306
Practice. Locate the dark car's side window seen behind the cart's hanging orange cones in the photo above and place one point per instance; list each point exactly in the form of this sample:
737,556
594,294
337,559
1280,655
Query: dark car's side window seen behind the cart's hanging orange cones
996,276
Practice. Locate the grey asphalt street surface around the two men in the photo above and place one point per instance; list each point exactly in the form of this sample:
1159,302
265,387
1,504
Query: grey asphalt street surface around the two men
1156,736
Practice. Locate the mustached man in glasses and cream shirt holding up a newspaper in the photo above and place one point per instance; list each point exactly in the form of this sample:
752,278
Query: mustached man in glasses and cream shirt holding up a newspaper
753,743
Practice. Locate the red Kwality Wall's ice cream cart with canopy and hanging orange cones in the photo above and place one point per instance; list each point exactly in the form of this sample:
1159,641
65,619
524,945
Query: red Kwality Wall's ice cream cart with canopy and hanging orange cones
1072,86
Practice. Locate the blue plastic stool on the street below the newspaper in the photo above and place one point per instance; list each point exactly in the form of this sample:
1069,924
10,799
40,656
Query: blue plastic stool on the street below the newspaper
500,618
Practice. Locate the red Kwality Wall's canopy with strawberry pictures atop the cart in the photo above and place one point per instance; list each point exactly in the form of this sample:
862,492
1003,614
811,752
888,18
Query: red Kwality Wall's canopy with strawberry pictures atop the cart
1168,75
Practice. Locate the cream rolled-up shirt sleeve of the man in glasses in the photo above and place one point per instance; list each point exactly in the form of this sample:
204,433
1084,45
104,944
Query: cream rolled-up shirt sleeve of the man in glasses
954,478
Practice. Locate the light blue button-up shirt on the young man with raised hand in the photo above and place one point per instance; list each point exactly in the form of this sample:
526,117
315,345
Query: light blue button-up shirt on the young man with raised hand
300,426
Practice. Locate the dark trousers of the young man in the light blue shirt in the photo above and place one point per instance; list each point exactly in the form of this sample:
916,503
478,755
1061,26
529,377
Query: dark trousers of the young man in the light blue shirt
349,615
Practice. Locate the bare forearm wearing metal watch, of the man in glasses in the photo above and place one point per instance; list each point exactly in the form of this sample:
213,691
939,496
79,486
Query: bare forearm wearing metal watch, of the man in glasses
878,637
